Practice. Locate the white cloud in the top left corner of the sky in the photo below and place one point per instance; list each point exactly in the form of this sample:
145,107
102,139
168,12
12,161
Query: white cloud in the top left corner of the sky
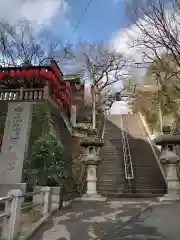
38,12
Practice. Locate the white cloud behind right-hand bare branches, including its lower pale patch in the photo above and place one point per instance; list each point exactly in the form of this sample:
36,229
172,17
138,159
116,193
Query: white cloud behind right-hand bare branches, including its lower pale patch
124,41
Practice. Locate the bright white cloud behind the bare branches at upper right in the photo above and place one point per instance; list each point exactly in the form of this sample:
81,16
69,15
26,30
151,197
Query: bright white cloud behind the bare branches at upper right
125,40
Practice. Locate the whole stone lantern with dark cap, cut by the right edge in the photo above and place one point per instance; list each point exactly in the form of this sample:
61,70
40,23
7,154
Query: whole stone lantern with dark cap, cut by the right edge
169,159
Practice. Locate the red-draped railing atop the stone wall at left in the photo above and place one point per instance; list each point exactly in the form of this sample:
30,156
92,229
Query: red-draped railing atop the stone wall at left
37,77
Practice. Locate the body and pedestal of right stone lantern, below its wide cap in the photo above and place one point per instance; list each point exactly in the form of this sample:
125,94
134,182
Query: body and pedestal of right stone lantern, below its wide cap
170,159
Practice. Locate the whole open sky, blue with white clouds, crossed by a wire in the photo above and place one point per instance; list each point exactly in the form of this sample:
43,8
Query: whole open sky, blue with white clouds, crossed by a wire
104,20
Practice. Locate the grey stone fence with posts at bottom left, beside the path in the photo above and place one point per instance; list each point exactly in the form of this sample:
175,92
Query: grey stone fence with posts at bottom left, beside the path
47,198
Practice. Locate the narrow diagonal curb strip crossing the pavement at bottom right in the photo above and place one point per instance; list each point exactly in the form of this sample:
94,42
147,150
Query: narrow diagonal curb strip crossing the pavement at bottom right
122,225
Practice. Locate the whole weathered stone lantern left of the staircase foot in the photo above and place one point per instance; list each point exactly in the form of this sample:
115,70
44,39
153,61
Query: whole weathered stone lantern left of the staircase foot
92,160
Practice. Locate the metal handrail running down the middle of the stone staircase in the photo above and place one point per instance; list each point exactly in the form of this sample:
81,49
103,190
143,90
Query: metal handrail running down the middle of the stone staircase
128,167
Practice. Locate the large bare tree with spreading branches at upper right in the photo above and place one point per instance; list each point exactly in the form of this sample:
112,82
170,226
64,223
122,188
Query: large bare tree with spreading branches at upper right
159,40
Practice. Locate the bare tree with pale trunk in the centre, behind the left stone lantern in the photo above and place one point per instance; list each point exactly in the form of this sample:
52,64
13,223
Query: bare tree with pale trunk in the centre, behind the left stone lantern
104,68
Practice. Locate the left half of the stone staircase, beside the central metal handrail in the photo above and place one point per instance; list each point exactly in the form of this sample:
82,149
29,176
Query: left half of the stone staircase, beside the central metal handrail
111,171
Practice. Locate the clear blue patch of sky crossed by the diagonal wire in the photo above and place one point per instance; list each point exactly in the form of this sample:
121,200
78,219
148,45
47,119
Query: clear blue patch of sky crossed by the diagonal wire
101,21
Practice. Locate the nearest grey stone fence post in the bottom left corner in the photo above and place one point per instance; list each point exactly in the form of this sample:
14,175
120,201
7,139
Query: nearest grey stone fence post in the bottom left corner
11,225
